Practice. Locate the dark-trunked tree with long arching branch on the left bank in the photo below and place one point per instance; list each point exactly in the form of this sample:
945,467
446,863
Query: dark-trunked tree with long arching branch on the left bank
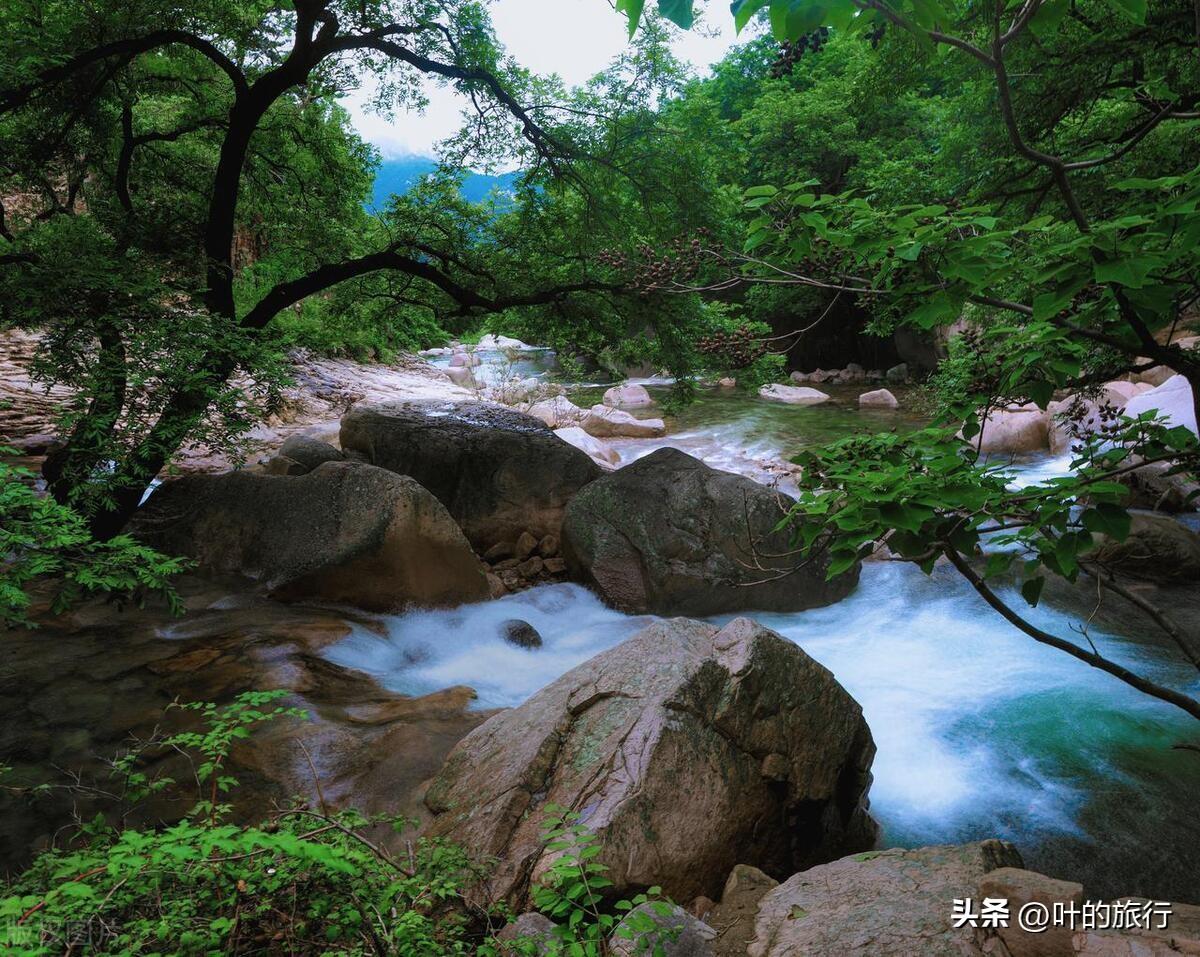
182,176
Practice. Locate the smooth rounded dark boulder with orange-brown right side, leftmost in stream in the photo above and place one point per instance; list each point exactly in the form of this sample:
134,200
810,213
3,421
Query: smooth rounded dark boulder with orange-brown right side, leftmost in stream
344,533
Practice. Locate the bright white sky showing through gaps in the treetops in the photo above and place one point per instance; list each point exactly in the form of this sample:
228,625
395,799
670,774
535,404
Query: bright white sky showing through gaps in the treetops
575,39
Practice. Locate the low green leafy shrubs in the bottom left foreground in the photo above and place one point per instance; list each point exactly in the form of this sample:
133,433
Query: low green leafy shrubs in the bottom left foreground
309,881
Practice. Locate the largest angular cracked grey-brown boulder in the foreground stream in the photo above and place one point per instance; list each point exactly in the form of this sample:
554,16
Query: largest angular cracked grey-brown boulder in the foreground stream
687,749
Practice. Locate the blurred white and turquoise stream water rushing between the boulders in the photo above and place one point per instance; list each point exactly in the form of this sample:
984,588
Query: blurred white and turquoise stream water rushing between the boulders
981,731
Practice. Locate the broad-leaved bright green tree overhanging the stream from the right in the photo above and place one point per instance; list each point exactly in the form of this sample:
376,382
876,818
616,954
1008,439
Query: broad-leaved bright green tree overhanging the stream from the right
1076,262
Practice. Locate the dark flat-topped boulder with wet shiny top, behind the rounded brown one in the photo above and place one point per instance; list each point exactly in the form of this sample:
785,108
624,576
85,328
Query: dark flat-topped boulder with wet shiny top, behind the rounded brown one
499,472
